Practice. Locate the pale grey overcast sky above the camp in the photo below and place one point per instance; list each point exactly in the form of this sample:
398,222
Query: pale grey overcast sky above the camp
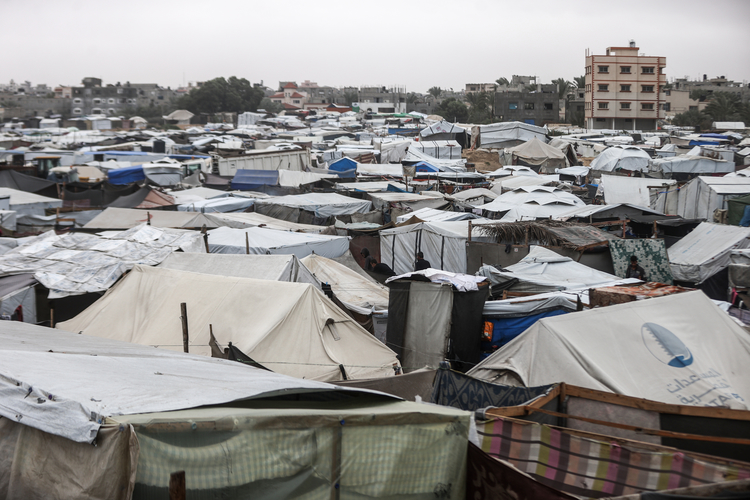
416,44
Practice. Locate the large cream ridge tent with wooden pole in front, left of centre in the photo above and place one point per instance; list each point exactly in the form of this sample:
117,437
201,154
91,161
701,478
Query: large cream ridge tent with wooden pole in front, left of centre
290,328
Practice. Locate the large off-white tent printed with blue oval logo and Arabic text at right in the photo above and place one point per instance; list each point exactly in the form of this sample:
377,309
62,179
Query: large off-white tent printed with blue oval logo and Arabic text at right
679,349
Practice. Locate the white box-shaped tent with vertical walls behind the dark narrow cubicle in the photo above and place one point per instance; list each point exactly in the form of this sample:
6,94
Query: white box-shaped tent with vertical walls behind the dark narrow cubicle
443,245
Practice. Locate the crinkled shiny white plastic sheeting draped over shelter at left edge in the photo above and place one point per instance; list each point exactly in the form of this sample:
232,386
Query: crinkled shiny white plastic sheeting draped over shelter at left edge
78,263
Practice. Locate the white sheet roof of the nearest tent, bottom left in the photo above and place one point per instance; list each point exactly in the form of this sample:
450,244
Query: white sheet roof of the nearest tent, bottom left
57,366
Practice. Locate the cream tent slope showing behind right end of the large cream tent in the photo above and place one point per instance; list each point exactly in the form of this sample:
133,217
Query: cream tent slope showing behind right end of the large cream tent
357,293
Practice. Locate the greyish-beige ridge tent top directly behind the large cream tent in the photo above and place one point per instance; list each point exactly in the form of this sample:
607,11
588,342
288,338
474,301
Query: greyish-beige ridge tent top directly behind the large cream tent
260,267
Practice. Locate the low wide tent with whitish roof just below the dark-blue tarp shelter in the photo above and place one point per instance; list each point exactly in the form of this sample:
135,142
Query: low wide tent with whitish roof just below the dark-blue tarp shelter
321,205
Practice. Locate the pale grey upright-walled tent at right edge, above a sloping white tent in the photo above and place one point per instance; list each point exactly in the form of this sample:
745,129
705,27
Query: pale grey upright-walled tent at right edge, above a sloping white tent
702,196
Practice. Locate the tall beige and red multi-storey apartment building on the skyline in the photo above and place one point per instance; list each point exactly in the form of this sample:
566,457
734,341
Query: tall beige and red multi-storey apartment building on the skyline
623,89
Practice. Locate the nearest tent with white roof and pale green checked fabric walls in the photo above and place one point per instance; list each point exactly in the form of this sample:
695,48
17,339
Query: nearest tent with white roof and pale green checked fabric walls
147,420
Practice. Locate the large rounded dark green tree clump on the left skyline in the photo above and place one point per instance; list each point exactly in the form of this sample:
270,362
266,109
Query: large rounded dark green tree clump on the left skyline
222,95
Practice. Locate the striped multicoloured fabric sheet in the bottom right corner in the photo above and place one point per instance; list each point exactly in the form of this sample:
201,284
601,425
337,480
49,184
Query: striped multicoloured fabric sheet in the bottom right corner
595,469
